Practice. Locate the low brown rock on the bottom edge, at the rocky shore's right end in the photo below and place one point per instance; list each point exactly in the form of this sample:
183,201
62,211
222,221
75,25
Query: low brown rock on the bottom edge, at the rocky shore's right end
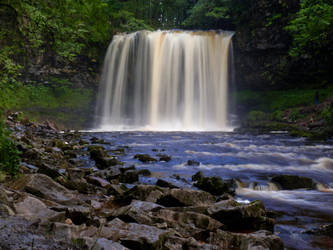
255,241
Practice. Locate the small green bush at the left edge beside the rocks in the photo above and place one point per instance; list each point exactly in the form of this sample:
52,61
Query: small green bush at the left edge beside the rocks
9,155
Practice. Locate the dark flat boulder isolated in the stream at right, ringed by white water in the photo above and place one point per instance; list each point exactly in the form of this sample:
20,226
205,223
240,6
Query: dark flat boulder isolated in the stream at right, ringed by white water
291,182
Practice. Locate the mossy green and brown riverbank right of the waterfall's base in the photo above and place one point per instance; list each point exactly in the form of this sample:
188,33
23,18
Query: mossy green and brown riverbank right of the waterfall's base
293,111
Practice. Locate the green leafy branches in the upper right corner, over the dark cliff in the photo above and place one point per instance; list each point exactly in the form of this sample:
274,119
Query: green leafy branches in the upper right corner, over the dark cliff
312,29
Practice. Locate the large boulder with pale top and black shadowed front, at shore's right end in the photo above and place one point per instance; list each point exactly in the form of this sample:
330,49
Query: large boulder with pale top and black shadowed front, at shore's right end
236,216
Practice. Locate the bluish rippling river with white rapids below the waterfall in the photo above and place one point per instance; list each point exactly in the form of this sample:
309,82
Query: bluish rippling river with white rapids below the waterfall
252,160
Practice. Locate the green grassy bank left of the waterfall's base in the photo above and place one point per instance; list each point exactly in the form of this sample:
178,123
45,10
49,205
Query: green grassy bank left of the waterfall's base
61,103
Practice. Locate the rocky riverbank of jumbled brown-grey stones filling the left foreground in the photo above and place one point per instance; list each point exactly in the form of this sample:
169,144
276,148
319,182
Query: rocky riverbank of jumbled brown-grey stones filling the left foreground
58,202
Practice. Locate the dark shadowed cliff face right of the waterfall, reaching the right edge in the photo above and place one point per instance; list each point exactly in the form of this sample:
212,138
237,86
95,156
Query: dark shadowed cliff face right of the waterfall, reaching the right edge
262,47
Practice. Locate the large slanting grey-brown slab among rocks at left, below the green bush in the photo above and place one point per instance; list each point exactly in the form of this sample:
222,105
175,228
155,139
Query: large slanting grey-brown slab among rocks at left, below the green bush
44,187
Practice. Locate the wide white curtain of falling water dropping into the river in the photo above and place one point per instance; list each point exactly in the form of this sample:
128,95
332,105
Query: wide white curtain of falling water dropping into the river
166,80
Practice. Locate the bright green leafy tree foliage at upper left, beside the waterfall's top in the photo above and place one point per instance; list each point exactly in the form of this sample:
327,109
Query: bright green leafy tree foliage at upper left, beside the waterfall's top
64,26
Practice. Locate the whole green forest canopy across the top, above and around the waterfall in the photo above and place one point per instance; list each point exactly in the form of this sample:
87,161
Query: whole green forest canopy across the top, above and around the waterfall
58,31
